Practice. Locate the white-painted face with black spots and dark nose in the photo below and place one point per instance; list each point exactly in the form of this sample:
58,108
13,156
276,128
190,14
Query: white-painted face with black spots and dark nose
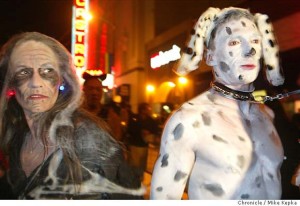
237,53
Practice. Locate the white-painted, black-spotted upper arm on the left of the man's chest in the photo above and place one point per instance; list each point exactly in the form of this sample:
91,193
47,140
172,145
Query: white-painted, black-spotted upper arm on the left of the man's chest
175,160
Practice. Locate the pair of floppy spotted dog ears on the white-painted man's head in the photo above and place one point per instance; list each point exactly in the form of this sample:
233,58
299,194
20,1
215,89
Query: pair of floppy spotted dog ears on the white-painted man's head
200,37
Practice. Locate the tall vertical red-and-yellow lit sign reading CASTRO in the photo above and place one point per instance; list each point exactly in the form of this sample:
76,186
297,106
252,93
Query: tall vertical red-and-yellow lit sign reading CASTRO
79,35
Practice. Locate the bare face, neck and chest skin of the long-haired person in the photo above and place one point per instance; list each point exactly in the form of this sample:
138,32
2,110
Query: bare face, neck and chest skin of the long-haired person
36,81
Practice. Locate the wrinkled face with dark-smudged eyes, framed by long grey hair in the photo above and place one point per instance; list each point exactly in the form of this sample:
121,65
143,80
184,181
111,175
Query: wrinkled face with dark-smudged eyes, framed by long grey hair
35,76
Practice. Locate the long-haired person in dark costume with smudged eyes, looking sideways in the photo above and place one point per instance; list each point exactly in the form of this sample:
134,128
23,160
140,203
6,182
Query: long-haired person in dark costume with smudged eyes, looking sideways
56,150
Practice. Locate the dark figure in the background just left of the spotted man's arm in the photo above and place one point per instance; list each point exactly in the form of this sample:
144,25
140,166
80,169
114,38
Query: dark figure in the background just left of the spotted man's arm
142,130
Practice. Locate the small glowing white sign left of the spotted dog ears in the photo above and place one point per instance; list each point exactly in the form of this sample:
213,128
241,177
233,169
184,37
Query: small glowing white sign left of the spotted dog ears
163,58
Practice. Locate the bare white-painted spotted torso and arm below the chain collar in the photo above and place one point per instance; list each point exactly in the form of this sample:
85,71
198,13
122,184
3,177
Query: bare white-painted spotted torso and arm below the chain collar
227,149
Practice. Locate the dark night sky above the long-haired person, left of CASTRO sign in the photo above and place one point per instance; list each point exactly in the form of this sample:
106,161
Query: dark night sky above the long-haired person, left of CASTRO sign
51,17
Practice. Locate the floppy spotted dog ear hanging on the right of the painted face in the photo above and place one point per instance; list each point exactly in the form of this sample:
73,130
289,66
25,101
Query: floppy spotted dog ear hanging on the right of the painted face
270,50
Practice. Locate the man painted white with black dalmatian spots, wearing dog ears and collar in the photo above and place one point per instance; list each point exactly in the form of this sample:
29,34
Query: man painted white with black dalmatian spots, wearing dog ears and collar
222,144
